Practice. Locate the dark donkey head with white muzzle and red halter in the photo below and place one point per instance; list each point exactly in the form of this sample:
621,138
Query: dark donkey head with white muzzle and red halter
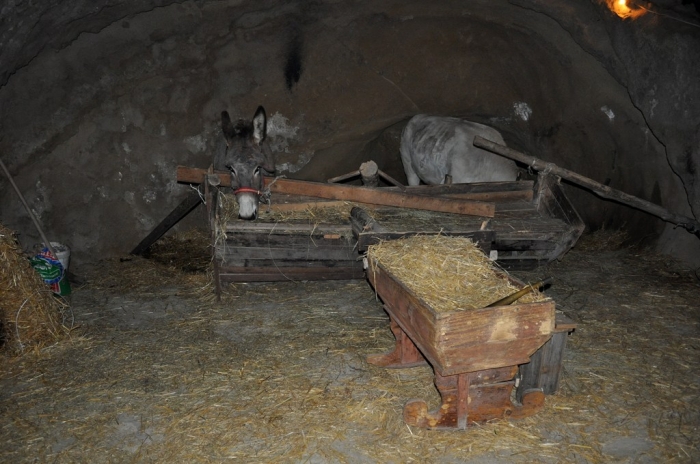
246,157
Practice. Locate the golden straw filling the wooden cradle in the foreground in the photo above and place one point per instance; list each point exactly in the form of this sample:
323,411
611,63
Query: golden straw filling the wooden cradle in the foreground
448,273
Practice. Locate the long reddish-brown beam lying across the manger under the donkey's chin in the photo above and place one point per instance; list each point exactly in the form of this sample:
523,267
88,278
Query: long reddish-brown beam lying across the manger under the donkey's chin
374,196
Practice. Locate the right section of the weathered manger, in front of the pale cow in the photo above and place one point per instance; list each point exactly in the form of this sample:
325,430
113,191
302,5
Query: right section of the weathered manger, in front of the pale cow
533,223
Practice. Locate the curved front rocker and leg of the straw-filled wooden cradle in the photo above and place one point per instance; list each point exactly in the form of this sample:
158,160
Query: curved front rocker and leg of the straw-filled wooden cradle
473,397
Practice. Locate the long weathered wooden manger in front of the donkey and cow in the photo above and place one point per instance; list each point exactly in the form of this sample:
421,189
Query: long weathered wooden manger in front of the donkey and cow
523,223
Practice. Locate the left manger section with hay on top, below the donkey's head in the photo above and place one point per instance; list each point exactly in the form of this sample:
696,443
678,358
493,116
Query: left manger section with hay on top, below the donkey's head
295,241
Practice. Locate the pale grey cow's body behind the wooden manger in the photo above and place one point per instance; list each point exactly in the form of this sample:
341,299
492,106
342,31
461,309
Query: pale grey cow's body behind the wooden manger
433,147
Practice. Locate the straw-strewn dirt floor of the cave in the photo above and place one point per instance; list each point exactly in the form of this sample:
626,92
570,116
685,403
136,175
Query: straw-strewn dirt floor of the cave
157,371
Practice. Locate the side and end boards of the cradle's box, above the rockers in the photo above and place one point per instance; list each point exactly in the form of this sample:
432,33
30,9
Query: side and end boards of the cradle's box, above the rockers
465,341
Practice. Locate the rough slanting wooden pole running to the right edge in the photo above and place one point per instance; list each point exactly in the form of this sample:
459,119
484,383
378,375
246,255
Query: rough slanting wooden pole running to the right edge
603,191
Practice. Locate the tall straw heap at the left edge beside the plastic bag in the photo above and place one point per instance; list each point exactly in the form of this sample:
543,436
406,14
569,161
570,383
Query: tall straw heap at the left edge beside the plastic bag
30,316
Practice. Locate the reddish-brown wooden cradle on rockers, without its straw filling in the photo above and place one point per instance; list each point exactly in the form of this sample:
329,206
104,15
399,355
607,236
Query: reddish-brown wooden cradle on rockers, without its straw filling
475,354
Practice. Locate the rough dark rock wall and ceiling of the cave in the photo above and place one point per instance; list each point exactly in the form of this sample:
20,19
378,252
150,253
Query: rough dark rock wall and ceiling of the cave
101,100
